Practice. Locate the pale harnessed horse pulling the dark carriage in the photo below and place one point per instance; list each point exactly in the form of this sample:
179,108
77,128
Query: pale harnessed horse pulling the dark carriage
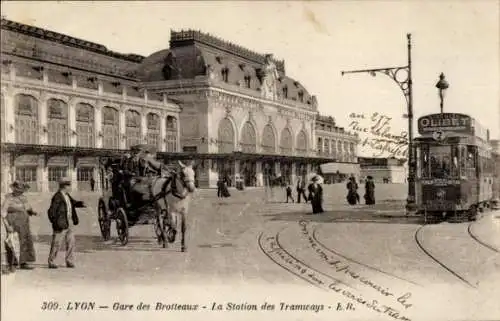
171,196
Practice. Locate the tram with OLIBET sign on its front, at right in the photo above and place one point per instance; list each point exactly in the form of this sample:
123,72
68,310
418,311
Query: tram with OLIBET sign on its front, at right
455,167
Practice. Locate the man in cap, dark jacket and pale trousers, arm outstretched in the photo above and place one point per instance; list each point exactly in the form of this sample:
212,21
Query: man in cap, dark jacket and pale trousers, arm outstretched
63,217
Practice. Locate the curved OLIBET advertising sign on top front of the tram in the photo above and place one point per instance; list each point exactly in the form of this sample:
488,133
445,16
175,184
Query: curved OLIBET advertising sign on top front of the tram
445,122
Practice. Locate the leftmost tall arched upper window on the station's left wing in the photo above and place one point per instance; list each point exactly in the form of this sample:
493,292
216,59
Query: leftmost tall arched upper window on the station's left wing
27,124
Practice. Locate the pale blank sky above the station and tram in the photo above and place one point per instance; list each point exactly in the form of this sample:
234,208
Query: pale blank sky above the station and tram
318,40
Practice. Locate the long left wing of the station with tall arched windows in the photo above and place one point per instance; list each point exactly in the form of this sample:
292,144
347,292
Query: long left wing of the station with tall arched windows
65,102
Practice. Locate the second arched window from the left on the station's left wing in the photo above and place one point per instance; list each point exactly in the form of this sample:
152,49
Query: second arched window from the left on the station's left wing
57,122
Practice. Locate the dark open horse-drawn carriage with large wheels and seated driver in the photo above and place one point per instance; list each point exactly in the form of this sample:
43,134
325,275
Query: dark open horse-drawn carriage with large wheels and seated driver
112,206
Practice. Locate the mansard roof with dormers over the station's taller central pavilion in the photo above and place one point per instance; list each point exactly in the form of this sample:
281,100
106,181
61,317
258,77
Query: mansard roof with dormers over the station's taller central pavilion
193,53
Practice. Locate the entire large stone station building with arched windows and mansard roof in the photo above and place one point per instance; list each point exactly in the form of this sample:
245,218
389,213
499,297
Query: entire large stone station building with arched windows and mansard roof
68,103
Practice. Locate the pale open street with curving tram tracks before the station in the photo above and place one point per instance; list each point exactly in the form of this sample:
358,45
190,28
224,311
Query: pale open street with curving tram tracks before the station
227,241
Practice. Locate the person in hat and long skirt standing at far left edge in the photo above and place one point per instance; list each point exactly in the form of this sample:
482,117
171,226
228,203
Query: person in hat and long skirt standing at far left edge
15,215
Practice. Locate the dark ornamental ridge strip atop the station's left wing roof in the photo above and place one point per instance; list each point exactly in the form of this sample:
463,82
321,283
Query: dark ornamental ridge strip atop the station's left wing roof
66,40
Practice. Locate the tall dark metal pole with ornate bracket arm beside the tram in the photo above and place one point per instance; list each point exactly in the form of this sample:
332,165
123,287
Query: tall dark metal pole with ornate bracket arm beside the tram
406,86
